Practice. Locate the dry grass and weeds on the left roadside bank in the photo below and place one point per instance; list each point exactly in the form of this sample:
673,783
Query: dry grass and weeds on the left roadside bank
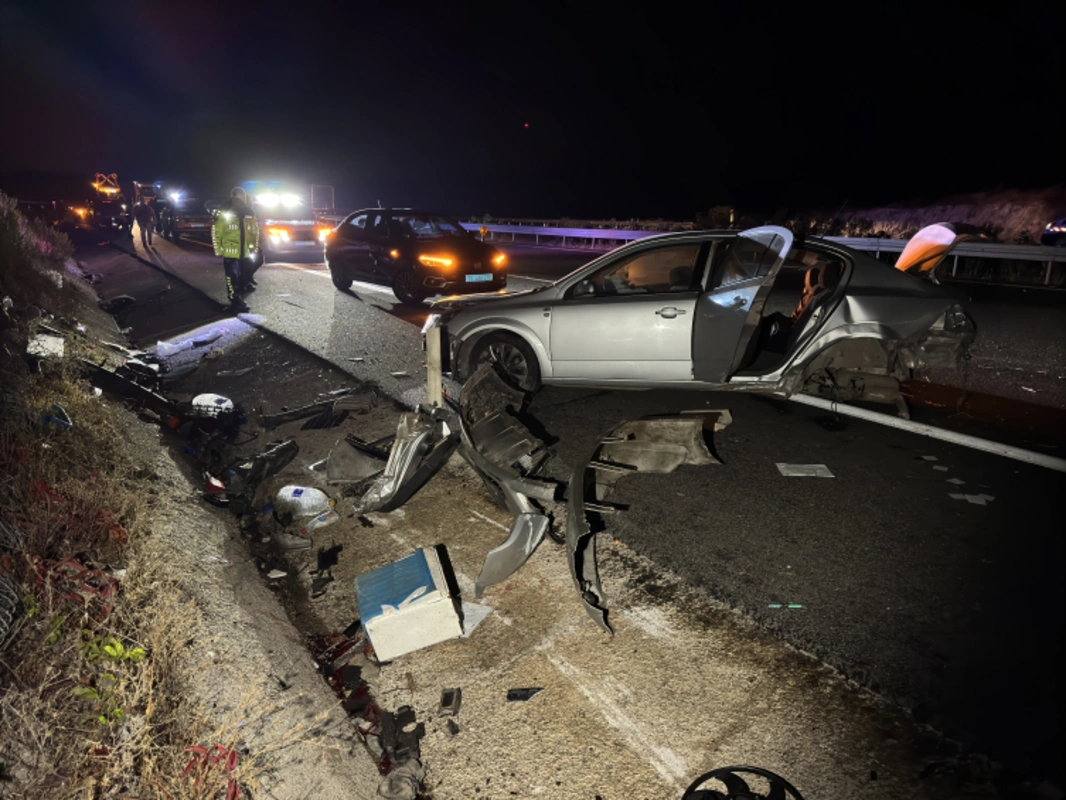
94,701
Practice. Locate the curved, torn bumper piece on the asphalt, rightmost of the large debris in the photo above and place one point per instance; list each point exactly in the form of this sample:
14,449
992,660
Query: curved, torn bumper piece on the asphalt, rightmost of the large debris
651,445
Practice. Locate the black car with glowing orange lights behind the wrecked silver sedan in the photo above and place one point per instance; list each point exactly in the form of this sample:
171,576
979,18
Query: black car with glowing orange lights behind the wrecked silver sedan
417,253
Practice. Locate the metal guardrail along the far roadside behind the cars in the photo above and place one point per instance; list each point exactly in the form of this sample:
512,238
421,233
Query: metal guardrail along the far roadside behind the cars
1049,257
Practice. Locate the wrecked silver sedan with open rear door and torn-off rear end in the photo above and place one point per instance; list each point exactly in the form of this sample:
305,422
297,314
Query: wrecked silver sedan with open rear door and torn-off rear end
761,311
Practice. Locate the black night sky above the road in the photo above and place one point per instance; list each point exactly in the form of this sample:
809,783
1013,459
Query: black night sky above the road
632,111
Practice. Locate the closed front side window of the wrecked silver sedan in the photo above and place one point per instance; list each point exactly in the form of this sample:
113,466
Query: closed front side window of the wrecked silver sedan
652,273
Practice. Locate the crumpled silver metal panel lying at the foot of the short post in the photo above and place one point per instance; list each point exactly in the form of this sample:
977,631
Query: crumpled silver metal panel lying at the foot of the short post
424,443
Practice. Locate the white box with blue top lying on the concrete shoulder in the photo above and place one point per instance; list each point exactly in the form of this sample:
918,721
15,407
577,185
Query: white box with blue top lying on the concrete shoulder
408,605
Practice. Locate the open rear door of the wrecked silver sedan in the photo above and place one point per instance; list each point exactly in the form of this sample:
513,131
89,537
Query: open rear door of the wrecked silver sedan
730,311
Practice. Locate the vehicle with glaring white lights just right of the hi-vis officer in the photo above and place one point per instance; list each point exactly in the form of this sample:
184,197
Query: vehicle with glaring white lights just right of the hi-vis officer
292,220
